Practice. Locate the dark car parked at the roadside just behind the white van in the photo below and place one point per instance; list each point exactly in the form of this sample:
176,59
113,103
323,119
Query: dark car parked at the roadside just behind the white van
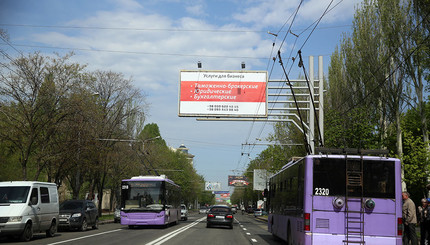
78,214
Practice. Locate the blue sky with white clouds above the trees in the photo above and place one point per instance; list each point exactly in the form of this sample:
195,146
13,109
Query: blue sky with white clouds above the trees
151,41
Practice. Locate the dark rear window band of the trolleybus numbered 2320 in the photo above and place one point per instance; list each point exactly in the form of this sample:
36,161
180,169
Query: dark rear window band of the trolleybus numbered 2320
330,177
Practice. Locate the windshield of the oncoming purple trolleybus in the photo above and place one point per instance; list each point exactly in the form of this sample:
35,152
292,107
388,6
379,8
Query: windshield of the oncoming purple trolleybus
142,195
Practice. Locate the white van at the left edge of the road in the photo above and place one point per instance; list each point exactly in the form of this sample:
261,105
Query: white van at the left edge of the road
28,207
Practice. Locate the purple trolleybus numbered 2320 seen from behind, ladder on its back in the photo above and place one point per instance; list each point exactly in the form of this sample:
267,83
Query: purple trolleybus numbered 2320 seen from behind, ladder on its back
337,199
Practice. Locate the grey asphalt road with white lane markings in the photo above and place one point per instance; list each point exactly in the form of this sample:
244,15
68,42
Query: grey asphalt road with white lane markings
246,230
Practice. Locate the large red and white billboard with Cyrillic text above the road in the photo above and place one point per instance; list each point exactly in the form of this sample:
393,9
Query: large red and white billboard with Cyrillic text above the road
223,93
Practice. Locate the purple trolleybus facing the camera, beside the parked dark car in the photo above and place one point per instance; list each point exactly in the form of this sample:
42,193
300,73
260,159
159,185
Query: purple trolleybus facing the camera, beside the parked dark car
150,200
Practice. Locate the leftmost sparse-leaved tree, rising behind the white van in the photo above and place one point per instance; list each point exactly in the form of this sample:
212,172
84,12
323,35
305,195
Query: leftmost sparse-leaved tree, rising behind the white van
30,95
